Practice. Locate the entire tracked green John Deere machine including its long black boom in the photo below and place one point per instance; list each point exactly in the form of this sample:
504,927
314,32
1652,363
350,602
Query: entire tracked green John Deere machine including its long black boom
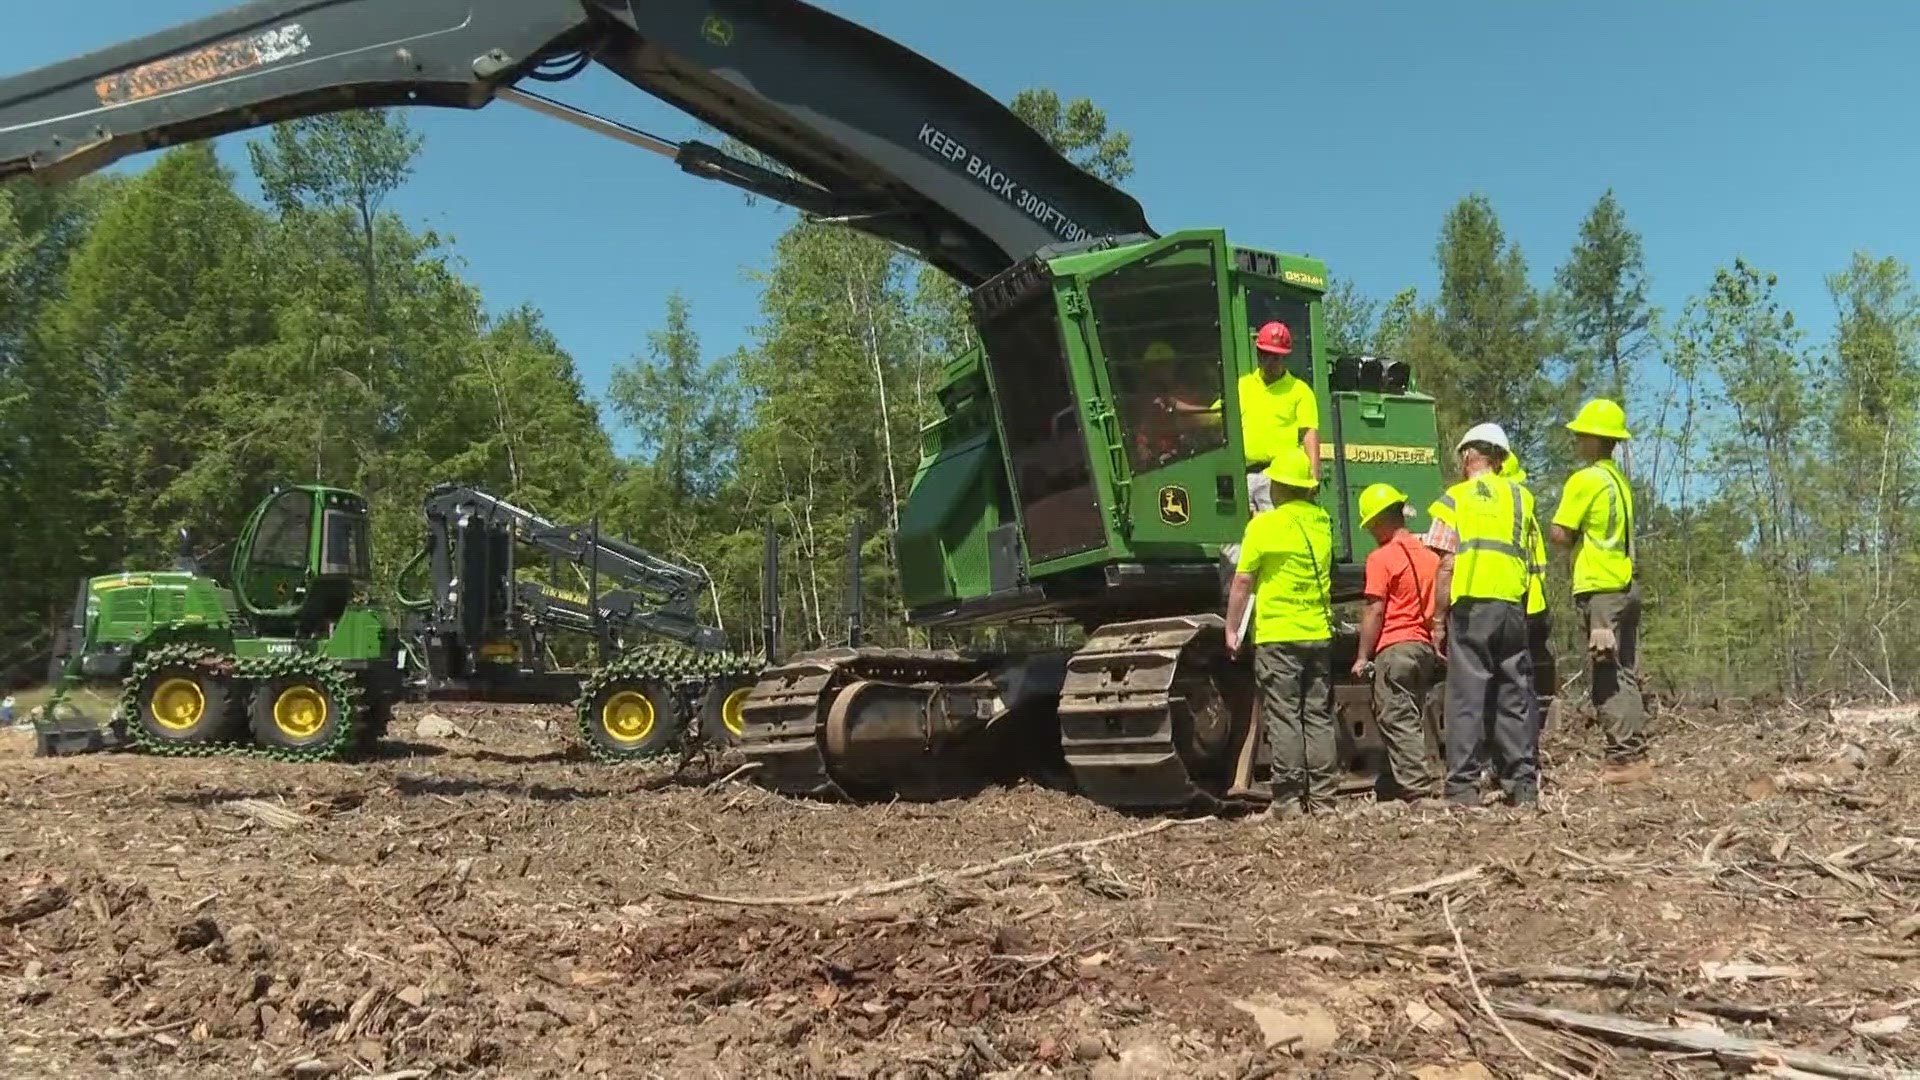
1053,487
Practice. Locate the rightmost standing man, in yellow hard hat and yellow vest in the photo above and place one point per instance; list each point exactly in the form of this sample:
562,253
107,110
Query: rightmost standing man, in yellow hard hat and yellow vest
1596,520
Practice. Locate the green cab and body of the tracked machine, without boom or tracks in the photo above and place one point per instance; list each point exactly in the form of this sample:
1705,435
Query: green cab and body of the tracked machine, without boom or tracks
1059,435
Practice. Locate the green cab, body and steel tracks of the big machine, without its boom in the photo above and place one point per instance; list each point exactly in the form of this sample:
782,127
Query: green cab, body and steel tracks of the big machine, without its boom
1057,485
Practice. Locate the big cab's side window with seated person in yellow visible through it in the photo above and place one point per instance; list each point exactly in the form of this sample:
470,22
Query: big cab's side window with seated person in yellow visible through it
1159,324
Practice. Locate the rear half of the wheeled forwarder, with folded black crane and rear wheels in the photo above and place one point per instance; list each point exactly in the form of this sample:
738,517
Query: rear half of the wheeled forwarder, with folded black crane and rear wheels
481,631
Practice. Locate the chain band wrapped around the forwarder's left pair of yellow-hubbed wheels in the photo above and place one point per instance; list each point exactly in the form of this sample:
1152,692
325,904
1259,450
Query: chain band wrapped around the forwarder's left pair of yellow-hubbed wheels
237,672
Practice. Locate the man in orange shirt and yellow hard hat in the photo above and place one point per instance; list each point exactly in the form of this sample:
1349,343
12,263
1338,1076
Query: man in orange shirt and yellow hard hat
1397,645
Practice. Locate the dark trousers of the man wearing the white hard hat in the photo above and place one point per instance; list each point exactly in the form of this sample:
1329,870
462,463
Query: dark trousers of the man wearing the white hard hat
1491,702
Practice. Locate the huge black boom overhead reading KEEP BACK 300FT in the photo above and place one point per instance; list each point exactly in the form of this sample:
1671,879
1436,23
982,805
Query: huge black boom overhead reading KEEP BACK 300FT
888,141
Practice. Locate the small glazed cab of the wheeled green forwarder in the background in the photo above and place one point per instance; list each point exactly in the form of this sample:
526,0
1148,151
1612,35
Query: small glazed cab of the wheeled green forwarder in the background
302,554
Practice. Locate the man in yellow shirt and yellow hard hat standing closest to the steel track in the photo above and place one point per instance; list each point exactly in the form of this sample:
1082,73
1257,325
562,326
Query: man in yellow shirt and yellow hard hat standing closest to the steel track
1285,572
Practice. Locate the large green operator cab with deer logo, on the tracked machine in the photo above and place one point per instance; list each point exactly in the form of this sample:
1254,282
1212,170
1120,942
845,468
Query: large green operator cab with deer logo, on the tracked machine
1118,399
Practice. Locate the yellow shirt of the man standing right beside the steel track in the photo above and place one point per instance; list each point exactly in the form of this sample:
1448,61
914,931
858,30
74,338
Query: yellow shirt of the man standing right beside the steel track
1289,551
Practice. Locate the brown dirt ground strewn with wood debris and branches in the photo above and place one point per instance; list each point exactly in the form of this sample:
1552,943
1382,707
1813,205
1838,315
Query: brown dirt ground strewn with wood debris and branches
492,906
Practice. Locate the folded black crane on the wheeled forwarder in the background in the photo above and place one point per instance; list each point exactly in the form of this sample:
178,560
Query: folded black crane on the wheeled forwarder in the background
475,595
